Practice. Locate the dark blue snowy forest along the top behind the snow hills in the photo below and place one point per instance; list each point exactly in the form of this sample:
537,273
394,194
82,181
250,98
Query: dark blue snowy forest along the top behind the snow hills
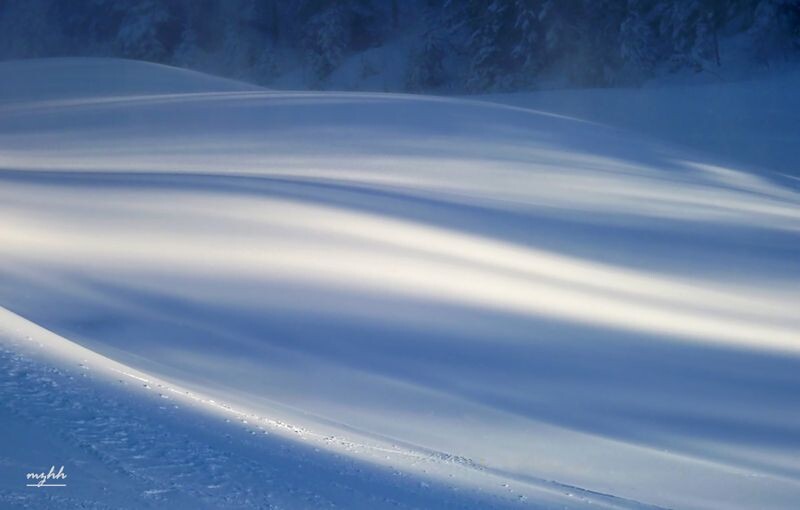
465,45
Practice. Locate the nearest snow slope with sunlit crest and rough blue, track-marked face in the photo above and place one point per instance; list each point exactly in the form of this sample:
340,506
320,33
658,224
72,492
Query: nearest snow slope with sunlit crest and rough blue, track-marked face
129,440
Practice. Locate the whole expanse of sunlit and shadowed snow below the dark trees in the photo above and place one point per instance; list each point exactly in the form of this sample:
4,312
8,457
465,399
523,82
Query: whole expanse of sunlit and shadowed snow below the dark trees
394,300
